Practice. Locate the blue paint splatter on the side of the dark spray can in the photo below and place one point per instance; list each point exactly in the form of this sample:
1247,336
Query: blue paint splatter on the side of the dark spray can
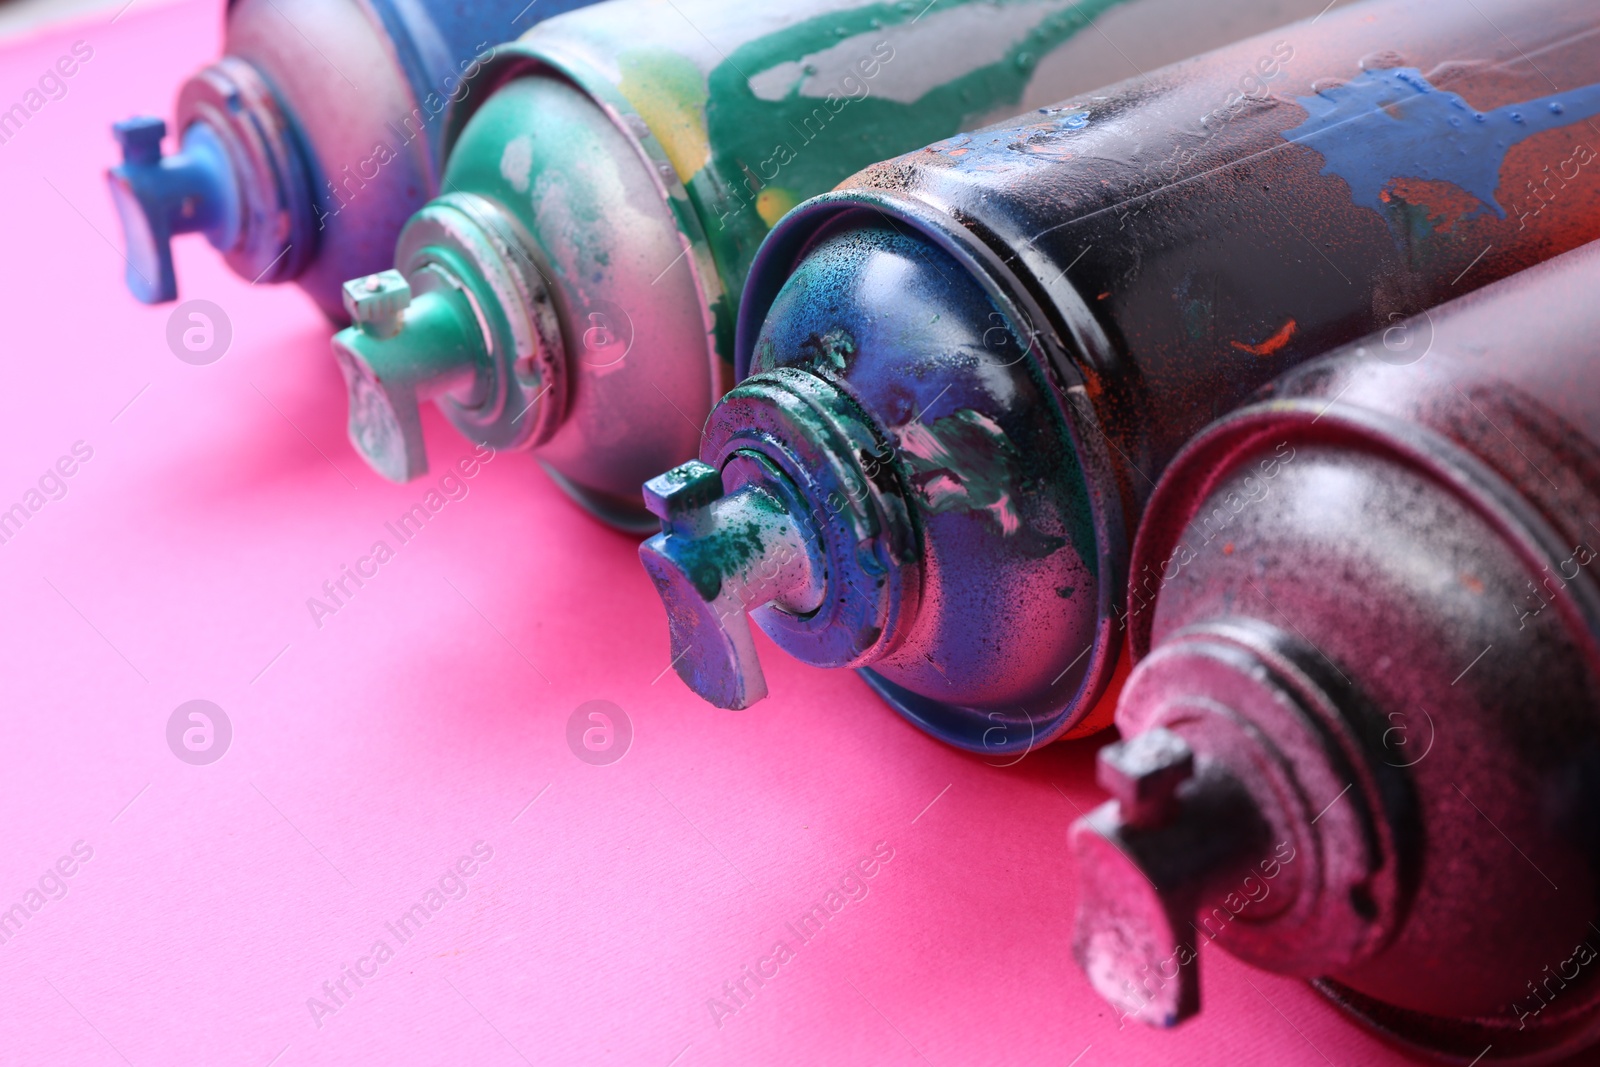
1393,124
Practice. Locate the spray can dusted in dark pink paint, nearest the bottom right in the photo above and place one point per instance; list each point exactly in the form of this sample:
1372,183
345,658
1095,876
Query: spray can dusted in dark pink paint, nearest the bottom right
1362,741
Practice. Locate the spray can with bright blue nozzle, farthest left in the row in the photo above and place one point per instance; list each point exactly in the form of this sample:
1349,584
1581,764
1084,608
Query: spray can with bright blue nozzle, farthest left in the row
303,151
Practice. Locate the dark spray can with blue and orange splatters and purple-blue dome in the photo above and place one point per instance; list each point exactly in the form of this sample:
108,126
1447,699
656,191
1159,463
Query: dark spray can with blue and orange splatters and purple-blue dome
970,364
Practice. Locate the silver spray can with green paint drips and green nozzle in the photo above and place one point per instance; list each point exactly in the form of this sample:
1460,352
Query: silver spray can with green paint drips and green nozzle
575,289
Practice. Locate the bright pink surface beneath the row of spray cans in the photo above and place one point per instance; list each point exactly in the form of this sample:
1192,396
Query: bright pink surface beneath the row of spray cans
425,717
